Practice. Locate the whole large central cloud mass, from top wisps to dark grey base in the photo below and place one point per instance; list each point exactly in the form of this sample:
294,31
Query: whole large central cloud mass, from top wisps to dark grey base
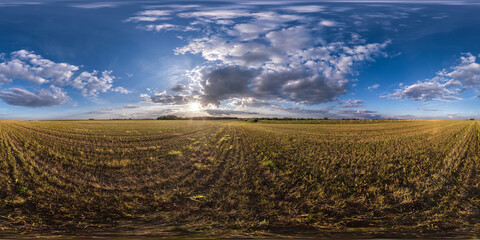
266,55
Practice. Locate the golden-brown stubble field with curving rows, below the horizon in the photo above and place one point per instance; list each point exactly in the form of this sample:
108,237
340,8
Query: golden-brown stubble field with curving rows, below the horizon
235,177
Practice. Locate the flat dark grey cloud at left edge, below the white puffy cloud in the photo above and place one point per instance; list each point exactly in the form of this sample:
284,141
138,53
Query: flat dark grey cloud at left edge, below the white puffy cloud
47,97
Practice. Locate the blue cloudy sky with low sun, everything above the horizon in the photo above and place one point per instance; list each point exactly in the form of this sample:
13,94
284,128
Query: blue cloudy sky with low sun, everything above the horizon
364,59
